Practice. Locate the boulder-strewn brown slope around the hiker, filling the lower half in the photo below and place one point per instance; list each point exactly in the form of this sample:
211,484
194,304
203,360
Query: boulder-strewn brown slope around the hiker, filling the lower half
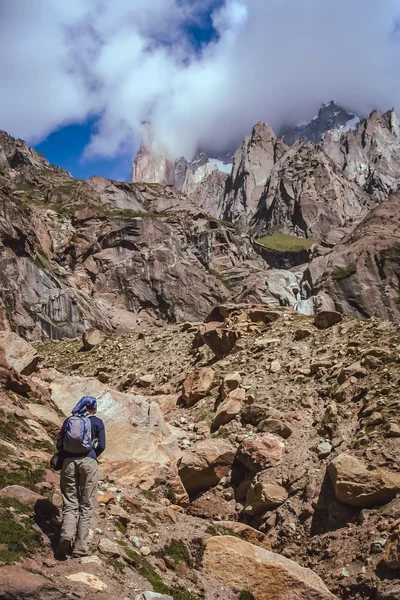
268,443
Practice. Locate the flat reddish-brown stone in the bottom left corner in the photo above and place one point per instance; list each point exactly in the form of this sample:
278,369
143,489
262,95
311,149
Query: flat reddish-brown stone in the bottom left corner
16,582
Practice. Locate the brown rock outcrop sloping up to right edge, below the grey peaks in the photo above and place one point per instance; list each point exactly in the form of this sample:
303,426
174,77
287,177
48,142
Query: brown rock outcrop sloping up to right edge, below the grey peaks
361,275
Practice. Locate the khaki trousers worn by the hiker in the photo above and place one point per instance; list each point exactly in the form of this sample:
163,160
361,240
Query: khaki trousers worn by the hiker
79,478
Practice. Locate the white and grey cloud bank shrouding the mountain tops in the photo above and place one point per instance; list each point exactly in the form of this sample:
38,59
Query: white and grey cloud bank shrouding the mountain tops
131,61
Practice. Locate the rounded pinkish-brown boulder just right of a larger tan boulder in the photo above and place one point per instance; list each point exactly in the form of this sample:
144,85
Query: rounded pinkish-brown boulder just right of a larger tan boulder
261,451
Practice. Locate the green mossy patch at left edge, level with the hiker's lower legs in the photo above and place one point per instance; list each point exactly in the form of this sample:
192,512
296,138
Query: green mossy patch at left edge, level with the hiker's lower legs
17,539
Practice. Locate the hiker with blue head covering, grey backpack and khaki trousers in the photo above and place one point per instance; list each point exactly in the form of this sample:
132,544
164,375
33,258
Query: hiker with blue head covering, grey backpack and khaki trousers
80,442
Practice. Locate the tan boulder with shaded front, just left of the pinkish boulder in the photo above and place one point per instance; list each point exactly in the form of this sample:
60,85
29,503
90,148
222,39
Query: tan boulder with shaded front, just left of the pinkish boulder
209,461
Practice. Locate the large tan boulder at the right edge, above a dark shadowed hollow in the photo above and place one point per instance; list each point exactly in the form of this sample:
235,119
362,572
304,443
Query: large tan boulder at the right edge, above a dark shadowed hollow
356,484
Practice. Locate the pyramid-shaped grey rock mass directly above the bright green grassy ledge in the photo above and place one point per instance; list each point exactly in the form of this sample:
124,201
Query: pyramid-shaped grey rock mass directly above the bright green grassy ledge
308,195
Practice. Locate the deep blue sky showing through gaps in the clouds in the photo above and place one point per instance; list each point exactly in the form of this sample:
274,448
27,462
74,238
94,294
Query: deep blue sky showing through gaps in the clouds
65,147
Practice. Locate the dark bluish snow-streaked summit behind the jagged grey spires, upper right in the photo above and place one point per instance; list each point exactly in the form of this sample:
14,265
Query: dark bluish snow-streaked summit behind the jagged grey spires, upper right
330,116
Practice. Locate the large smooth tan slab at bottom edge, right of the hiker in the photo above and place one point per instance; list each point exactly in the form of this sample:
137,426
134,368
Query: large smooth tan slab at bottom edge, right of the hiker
266,575
